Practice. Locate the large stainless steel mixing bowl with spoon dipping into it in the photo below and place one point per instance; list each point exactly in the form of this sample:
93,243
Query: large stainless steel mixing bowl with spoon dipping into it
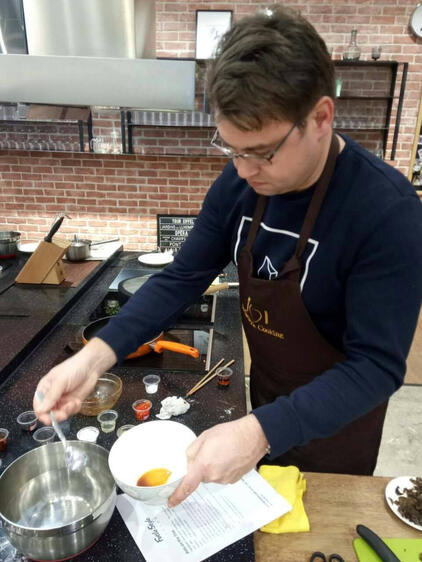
51,513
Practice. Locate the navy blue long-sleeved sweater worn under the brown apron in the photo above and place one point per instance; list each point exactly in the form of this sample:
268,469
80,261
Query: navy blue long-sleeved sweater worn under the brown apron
361,283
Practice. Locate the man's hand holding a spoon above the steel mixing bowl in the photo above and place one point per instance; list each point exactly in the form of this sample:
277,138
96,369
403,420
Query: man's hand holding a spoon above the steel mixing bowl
69,383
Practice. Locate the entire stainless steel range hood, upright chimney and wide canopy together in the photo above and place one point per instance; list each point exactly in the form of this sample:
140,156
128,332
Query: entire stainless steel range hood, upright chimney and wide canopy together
95,52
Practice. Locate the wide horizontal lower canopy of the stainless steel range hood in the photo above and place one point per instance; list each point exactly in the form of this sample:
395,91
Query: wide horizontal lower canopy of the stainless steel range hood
136,83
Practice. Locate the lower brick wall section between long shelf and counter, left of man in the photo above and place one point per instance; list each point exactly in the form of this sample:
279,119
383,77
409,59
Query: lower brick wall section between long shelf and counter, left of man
104,195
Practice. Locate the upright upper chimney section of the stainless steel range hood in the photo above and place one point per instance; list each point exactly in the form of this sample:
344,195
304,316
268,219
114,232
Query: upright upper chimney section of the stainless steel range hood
91,28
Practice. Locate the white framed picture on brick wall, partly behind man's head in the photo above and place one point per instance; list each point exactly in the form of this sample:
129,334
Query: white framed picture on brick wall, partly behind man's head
210,26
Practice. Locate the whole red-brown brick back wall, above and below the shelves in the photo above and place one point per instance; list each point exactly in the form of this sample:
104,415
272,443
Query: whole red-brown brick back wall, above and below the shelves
120,195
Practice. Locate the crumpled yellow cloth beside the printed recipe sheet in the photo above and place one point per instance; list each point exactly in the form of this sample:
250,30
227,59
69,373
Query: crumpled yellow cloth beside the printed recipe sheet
290,483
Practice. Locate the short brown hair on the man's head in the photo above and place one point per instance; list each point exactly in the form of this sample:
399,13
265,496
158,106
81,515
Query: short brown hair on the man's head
269,66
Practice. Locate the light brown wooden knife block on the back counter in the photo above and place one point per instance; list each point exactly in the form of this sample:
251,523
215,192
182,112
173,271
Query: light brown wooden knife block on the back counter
45,264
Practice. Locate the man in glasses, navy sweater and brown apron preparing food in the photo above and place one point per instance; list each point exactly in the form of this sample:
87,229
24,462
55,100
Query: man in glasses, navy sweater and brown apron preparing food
327,241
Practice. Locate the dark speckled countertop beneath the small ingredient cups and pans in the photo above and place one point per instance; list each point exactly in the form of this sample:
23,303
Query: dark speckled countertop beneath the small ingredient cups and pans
31,345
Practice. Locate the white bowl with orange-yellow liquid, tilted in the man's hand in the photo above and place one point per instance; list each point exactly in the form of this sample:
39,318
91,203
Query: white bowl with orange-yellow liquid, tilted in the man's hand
149,445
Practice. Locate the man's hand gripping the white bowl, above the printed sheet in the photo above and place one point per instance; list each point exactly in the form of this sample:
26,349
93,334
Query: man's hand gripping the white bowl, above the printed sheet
222,454
